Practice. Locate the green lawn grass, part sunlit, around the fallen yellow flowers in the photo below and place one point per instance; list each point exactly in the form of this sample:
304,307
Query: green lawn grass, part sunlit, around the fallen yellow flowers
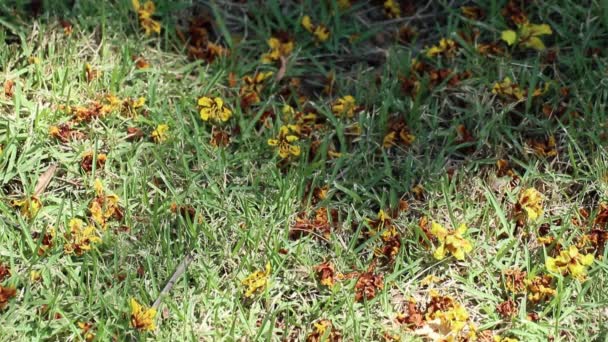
237,208
